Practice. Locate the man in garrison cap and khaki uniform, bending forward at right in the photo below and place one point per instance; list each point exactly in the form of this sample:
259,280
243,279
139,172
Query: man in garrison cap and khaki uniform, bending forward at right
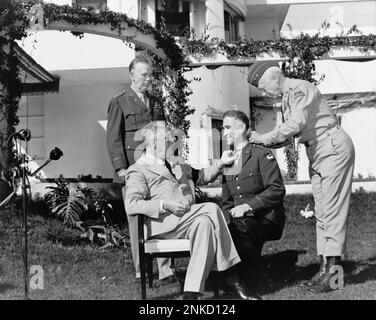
331,160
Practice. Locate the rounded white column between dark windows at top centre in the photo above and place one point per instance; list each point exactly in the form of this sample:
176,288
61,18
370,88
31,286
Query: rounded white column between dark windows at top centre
215,19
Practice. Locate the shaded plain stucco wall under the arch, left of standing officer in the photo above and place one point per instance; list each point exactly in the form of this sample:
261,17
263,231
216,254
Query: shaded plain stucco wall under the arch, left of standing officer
71,121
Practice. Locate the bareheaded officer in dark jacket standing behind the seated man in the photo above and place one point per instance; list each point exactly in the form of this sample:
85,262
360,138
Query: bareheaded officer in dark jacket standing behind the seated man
129,112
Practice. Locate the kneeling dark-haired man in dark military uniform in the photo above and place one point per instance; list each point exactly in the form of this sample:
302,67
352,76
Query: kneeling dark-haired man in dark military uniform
252,195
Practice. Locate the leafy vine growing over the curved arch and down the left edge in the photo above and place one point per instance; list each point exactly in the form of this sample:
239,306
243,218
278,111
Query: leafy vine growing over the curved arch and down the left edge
170,86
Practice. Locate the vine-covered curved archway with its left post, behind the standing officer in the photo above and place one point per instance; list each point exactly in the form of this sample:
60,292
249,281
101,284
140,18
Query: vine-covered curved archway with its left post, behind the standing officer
170,89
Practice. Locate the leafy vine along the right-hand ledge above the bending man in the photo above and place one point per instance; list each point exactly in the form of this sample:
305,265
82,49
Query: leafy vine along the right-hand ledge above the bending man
299,54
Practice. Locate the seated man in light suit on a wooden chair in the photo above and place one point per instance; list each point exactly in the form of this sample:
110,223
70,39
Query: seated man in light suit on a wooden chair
168,202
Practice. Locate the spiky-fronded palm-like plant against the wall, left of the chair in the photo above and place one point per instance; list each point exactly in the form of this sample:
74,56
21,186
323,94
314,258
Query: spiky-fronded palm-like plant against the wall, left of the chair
66,203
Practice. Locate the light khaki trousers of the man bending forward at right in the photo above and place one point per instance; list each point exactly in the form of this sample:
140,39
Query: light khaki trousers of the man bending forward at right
331,171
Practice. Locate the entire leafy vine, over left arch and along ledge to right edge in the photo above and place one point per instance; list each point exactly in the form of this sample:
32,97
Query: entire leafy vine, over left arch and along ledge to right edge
171,89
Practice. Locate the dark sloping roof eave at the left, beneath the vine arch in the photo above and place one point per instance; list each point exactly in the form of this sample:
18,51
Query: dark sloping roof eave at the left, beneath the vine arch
35,79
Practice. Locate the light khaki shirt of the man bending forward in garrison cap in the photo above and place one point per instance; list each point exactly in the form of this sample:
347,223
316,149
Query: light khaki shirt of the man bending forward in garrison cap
304,113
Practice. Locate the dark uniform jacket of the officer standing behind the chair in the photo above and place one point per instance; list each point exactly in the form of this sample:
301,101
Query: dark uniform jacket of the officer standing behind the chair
127,114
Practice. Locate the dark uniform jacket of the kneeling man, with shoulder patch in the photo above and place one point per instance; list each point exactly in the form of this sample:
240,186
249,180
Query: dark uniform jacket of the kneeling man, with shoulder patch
258,182
